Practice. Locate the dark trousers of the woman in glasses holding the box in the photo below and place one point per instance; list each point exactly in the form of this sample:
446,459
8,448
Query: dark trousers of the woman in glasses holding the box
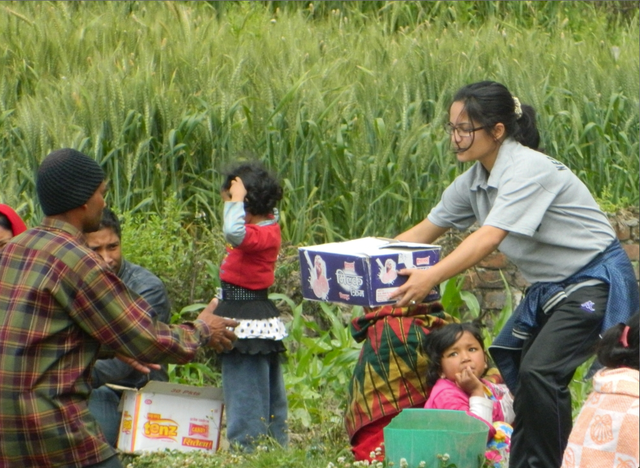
542,402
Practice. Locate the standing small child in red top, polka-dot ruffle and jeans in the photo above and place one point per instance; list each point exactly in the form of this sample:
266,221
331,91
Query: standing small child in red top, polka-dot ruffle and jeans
253,385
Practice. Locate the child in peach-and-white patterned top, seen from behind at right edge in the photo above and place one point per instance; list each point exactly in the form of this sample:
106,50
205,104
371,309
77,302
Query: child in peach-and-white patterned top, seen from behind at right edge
605,434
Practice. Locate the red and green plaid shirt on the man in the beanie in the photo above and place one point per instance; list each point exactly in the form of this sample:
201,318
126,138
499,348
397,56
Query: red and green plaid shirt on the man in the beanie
58,304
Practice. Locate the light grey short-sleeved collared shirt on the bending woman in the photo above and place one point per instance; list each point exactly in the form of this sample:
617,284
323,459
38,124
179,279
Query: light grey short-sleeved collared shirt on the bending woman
555,226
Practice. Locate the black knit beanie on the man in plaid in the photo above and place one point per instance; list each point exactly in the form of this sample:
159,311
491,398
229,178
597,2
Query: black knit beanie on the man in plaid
66,180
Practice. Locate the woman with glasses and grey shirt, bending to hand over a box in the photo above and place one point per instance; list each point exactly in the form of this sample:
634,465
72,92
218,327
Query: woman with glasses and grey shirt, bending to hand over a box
535,211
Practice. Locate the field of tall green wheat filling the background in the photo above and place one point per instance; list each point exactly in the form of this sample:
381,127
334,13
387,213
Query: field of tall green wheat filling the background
343,100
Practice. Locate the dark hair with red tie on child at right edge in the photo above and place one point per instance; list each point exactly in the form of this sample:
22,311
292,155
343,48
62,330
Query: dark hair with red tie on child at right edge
612,352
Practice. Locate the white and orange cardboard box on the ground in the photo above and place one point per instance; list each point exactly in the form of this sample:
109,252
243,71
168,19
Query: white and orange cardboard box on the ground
164,415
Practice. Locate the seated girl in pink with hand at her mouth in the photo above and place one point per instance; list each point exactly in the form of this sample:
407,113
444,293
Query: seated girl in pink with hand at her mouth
457,363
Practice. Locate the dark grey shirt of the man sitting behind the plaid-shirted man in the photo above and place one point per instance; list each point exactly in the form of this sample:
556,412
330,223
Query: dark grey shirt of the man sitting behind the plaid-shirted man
150,287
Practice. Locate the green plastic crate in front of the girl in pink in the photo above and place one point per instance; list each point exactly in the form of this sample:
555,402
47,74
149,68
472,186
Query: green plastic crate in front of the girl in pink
420,435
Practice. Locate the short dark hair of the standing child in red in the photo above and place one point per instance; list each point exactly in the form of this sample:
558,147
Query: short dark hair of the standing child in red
263,189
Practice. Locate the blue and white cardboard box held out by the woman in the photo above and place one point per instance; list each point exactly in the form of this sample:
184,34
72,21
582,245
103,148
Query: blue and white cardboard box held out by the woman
362,271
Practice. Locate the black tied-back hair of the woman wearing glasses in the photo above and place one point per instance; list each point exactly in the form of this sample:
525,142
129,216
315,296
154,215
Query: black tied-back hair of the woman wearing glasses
488,103
